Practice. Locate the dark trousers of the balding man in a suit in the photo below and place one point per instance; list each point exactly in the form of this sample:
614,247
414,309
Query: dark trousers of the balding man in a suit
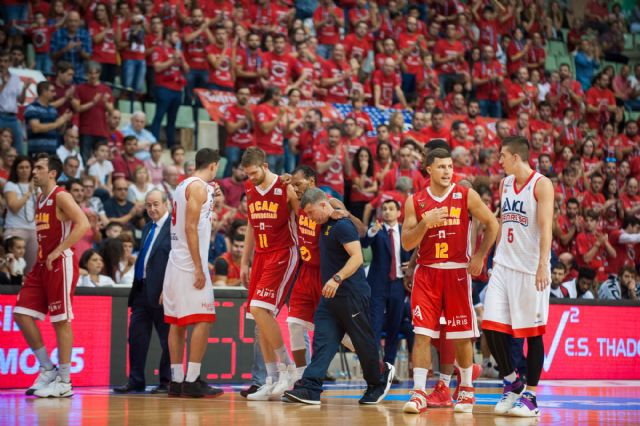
143,319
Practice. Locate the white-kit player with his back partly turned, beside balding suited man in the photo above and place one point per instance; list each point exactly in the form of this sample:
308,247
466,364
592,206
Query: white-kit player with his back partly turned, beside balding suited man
187,289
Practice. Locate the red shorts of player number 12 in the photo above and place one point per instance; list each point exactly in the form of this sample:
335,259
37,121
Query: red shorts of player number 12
446,292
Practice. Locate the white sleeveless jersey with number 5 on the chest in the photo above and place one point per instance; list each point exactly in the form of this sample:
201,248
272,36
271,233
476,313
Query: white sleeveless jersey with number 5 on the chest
519,245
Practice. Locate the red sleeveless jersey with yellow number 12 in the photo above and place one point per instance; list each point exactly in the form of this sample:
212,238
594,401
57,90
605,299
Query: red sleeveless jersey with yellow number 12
436,246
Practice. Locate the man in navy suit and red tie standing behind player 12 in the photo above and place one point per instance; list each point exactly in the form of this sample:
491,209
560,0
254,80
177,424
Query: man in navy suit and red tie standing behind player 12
385,277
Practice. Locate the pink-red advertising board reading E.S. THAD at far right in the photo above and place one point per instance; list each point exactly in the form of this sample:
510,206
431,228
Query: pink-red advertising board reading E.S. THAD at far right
592,342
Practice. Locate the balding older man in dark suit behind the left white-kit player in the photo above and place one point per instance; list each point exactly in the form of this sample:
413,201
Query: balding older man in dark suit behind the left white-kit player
144,299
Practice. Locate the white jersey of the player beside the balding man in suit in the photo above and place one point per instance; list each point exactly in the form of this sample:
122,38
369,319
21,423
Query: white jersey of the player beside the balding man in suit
180,255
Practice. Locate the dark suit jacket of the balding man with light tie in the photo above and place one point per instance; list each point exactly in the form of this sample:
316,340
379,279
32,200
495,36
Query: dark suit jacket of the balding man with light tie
156,265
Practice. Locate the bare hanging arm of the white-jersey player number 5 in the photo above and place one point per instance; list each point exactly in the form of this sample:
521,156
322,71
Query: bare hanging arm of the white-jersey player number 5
544,194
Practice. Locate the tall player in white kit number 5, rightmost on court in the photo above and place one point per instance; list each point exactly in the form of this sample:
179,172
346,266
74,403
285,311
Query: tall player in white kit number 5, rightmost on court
517,299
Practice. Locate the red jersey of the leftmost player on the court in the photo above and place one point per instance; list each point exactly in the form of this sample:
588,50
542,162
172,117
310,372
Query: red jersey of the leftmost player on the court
51,230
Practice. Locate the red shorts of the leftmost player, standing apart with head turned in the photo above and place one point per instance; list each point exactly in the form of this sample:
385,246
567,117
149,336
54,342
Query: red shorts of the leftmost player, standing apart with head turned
49,291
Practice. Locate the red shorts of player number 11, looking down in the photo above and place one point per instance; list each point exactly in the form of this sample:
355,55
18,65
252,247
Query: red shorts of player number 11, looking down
271,278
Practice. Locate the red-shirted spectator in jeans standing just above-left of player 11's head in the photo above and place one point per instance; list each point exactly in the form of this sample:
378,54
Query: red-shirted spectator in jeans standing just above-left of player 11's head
239,123
